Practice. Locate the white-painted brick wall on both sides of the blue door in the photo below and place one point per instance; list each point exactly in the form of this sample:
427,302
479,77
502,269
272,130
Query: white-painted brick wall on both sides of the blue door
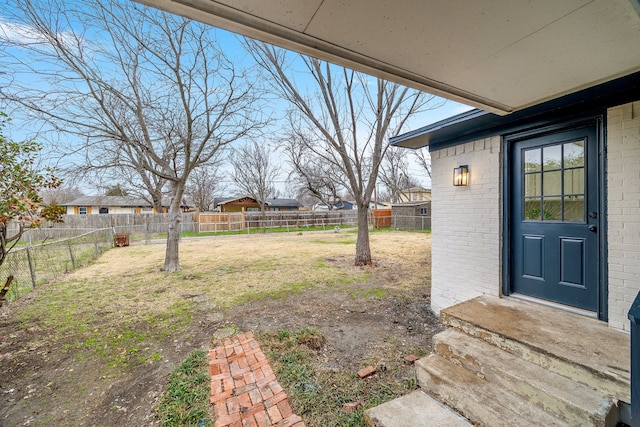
466,238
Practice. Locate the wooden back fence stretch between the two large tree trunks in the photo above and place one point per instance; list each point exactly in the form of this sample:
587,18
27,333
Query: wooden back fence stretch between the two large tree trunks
221,221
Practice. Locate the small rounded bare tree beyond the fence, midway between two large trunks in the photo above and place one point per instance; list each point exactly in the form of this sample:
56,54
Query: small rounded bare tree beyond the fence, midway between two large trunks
255,172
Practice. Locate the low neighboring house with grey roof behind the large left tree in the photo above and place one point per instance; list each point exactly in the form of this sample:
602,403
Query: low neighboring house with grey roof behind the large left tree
93,205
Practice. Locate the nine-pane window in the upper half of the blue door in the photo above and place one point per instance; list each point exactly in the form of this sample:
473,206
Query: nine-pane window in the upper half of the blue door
554,182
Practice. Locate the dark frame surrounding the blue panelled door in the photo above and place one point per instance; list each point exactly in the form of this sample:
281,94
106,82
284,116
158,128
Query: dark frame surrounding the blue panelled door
508,142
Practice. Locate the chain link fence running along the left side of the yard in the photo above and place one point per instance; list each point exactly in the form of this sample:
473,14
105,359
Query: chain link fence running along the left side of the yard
35,265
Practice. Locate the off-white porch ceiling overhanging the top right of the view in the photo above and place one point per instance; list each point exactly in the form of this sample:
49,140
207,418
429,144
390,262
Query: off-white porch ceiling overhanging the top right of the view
498,55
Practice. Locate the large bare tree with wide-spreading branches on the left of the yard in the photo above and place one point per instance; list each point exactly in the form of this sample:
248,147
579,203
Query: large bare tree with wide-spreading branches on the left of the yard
141,89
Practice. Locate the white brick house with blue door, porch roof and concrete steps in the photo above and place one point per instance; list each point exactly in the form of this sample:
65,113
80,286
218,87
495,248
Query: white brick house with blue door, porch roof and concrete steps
539,253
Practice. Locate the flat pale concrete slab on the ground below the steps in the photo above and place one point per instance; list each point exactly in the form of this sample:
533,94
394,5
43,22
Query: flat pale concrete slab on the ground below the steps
412,410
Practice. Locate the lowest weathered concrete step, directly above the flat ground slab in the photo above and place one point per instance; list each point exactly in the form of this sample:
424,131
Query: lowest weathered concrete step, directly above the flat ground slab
480,401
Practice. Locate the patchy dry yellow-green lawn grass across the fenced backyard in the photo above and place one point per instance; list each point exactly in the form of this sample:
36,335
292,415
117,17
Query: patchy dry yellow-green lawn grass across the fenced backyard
121,314
